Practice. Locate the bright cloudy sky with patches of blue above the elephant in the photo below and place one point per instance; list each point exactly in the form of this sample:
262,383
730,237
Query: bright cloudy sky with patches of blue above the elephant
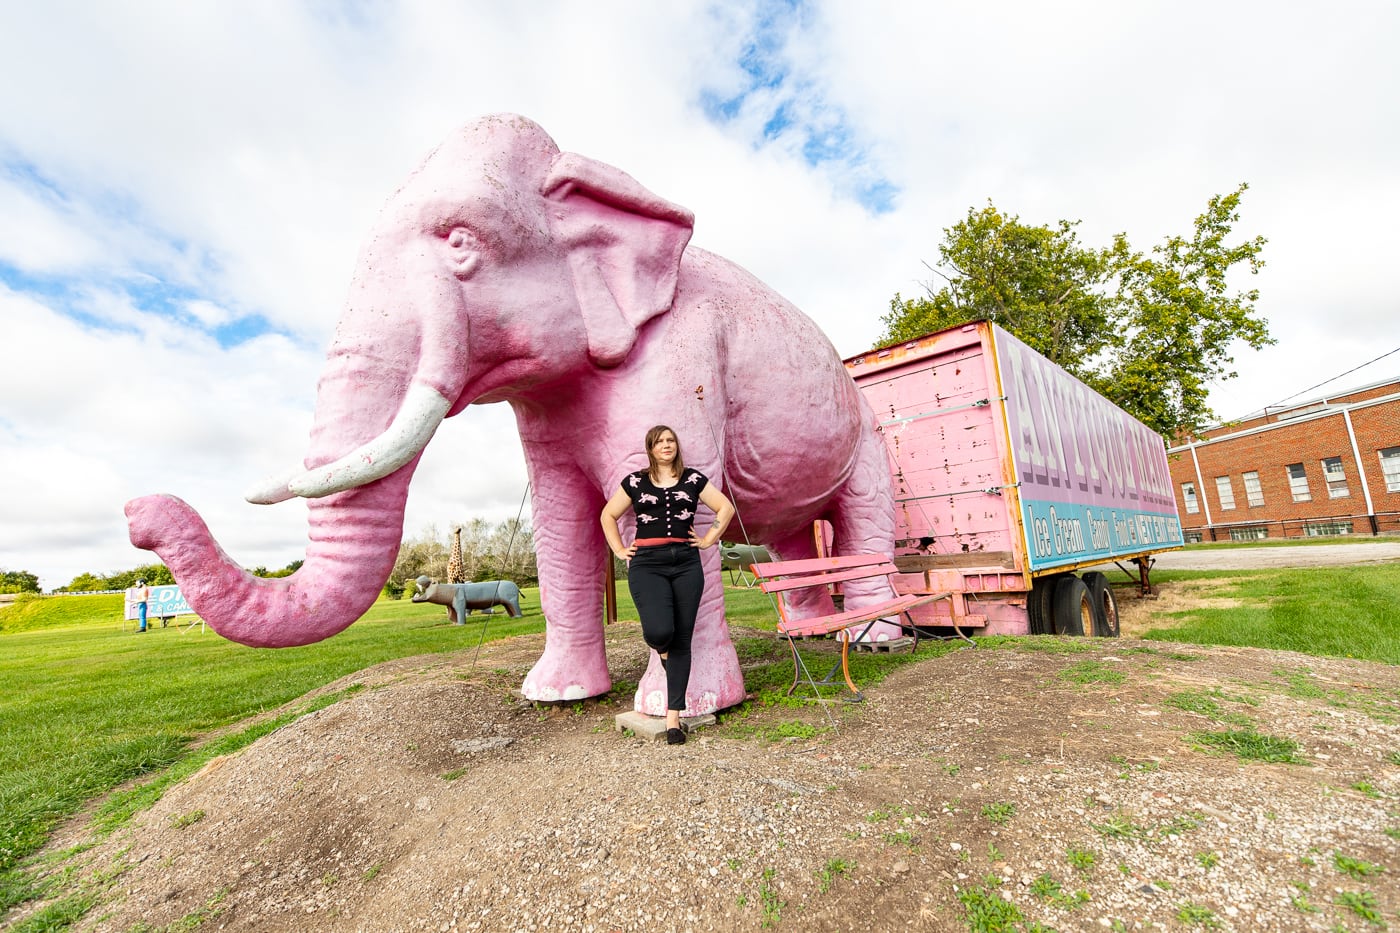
184,188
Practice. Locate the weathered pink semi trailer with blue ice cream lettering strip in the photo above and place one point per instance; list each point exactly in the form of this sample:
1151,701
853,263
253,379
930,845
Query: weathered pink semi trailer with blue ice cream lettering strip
1011,480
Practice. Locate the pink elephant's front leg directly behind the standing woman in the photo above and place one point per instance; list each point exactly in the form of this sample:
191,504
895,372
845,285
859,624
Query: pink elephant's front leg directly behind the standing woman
716,680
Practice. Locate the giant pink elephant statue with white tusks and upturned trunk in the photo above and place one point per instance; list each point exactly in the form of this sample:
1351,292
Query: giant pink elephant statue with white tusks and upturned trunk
507,271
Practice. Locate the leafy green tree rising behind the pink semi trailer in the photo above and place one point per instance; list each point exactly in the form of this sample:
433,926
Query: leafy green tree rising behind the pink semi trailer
1149,331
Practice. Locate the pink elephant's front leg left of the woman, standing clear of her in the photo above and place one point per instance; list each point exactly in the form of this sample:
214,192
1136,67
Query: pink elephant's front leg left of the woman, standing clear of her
570,553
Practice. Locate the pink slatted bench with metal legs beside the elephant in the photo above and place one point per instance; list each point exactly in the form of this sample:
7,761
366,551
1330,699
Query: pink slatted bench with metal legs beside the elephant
782,576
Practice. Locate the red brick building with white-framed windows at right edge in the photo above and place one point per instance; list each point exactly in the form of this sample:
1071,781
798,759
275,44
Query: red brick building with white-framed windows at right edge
1328,467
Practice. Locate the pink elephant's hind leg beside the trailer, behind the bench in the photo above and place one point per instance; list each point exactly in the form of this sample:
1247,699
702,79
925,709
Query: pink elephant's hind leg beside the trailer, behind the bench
863,522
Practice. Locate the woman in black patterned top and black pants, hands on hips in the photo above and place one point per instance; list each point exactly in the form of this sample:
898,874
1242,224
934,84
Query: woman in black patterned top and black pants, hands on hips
664,571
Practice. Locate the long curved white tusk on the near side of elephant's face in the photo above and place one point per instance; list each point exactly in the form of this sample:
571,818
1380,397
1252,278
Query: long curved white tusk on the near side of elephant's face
423,410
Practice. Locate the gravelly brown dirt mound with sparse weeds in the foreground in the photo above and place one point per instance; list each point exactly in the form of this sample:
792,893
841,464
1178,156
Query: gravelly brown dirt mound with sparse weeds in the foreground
1056,780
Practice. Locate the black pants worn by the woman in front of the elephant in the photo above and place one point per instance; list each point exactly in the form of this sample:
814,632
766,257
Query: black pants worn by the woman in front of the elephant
667,582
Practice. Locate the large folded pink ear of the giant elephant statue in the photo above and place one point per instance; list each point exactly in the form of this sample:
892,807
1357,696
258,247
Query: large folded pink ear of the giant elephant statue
624,249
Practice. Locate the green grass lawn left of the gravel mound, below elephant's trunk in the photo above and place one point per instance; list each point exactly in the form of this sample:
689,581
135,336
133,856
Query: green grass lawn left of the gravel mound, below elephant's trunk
89,707
